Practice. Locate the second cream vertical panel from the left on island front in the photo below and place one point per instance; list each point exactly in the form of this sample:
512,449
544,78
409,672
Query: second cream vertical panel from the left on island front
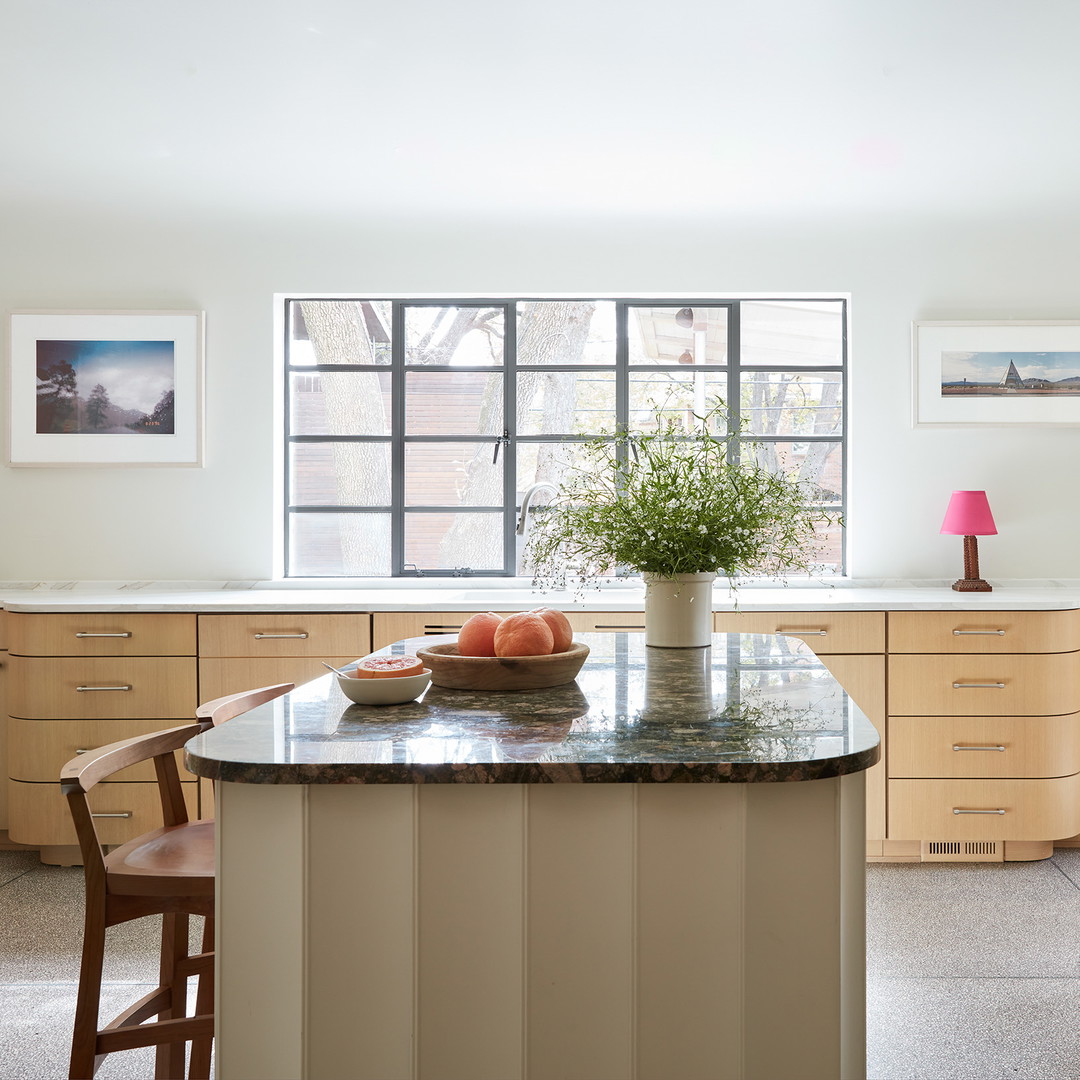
361,931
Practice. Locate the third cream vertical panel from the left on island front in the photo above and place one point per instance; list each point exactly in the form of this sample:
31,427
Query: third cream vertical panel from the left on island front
470,931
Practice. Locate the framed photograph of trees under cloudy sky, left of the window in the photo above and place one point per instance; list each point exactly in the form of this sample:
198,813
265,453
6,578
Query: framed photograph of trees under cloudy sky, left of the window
106,388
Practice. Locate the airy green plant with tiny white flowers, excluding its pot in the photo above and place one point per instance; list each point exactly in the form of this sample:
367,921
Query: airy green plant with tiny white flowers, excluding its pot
669,502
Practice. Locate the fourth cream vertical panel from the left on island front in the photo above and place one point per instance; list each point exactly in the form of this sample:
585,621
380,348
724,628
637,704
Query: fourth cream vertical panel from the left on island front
580,888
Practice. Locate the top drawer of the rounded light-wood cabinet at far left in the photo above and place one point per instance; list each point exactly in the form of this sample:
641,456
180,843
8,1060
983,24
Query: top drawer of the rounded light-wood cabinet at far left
102,636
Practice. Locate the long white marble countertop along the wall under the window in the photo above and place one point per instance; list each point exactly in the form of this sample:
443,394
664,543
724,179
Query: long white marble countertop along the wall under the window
501,595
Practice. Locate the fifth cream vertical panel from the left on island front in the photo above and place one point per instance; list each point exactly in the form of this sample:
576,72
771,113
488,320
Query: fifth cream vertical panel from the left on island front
690,931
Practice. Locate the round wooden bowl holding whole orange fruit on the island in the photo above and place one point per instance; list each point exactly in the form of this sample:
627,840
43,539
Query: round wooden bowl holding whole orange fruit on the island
528,651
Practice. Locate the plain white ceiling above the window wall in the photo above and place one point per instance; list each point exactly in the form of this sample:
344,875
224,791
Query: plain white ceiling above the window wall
496,107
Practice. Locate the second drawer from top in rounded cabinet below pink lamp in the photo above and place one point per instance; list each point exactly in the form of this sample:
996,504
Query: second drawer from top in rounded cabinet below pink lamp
984,686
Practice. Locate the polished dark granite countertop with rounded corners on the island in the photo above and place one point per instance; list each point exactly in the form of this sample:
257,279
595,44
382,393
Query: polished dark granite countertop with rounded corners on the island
751,709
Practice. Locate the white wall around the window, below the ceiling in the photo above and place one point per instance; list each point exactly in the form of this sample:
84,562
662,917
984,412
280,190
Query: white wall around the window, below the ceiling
215,523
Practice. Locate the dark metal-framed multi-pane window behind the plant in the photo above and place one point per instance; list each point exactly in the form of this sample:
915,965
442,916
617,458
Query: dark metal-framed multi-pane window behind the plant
414,428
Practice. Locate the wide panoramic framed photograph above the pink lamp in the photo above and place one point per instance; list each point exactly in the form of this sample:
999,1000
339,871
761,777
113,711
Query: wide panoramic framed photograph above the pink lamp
992,374
